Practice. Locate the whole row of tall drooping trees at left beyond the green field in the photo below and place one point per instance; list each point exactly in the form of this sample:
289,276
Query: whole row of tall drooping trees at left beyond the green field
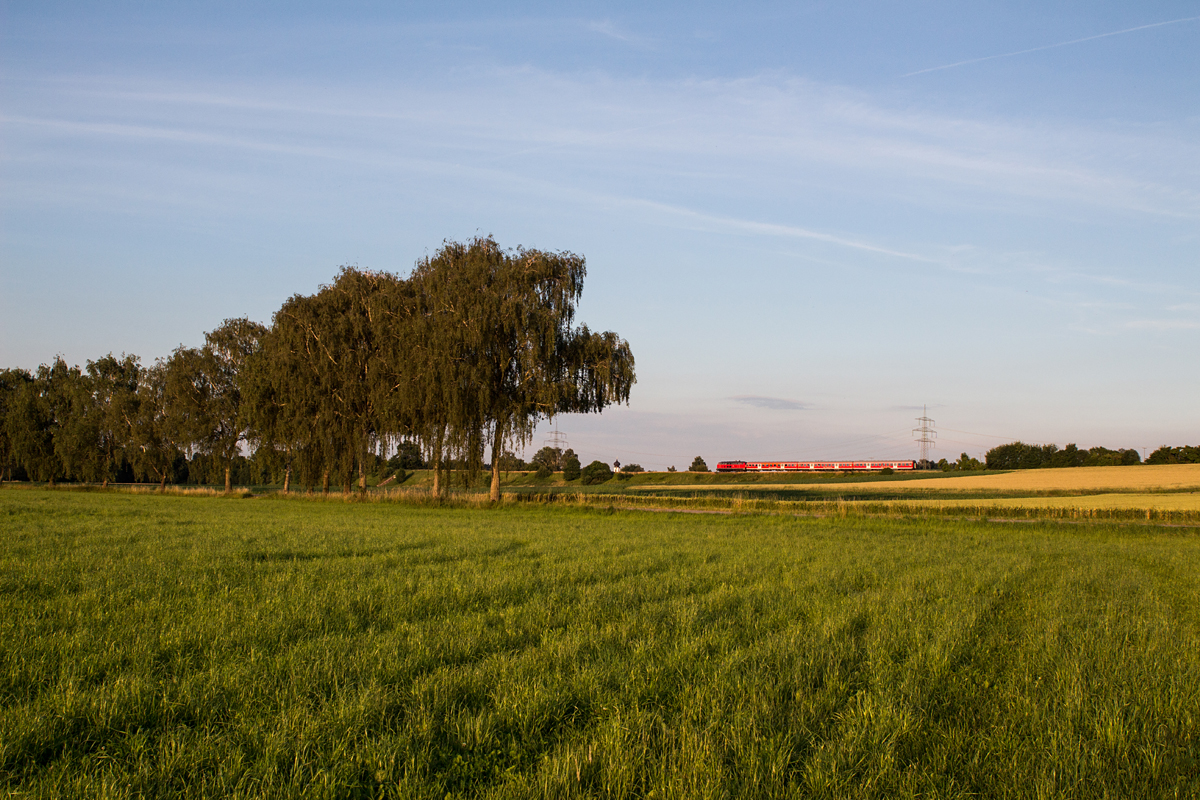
473,350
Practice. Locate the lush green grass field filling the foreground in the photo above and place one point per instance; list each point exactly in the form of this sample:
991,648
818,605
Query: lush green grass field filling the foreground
199,647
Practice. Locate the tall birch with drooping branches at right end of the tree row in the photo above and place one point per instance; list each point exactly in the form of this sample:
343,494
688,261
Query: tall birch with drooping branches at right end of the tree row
502,323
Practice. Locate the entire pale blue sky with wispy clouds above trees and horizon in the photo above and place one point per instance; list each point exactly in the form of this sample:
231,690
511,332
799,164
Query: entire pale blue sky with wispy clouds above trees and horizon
811,220
